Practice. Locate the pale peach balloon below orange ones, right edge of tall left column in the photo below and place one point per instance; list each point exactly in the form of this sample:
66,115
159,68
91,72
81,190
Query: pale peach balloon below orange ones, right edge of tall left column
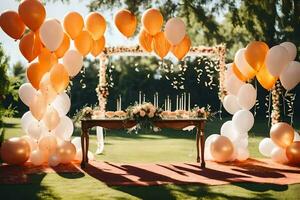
73,62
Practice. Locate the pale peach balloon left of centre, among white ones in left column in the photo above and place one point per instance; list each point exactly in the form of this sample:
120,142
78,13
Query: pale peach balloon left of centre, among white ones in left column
38,106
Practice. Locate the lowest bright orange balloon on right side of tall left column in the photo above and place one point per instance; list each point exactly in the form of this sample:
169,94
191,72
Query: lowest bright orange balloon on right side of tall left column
59,78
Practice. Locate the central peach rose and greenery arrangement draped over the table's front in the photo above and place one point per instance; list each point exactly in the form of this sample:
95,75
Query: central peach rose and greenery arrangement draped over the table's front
144,115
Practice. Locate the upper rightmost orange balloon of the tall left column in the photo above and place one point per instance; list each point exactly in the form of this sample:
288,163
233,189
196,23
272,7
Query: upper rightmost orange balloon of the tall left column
96,25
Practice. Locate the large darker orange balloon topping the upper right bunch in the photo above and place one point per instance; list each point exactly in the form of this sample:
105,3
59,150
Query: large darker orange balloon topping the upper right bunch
255,54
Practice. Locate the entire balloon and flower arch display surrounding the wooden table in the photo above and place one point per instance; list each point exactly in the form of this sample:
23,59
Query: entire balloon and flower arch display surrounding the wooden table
46,45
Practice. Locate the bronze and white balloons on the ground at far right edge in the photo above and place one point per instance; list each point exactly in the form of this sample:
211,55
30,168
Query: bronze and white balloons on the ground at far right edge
283,146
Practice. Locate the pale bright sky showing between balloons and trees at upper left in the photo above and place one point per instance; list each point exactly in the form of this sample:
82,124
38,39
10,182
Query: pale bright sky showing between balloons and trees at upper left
58,10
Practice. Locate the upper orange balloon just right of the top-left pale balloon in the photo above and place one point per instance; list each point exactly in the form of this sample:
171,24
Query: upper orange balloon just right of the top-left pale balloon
73,24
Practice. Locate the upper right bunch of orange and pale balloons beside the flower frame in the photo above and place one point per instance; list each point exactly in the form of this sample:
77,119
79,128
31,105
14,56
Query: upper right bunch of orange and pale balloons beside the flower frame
268,64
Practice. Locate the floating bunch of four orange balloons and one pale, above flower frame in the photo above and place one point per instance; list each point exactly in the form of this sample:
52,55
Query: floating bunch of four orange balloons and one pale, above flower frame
173,39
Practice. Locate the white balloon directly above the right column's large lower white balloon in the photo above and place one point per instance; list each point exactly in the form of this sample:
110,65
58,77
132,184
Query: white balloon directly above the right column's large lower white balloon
247,96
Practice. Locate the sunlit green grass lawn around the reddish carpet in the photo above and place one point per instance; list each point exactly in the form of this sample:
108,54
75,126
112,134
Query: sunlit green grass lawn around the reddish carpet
163,147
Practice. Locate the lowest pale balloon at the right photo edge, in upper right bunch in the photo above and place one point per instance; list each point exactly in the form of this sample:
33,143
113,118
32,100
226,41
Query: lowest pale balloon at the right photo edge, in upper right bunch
290,76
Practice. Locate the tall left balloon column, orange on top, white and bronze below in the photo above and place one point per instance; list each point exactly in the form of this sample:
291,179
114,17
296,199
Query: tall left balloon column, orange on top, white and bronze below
51,65
